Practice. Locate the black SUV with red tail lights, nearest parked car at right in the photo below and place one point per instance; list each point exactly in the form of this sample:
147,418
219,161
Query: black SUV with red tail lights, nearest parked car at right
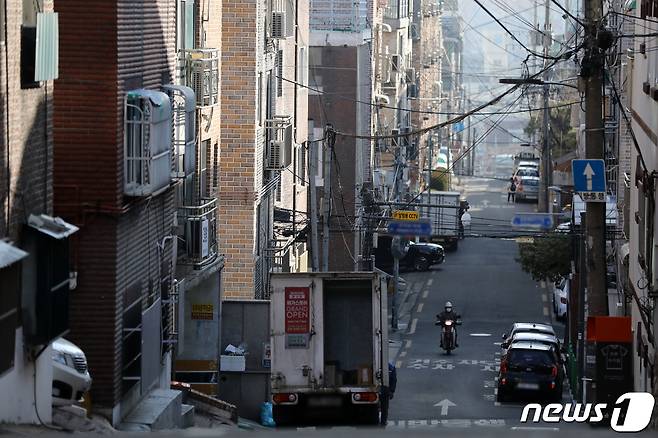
531,369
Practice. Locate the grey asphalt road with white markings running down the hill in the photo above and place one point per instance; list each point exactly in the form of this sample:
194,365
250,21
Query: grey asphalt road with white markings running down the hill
488,288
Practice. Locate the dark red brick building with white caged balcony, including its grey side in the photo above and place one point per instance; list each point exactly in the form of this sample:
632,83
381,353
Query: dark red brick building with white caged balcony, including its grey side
112,178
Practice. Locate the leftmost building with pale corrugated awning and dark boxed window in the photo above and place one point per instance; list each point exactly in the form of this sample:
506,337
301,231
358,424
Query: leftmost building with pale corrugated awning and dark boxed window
34,268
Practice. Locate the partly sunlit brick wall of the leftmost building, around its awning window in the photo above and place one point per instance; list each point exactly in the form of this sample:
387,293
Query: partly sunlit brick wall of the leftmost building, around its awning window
27,119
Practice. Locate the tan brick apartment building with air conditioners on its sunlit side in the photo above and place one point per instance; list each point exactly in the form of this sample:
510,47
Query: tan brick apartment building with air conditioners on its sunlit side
263,126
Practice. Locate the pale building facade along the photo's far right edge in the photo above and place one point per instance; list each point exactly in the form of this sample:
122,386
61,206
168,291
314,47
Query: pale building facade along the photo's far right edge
641,217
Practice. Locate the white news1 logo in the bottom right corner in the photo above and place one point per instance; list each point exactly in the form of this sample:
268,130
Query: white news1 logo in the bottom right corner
634,418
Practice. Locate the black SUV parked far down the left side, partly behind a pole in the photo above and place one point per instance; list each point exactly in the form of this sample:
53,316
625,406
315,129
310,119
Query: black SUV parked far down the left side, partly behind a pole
419,256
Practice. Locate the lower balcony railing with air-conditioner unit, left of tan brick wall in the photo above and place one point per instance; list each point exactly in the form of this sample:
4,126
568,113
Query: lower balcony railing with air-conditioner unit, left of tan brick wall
199,233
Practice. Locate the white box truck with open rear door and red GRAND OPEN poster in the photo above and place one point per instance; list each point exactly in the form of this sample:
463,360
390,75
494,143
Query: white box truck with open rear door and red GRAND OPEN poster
329,346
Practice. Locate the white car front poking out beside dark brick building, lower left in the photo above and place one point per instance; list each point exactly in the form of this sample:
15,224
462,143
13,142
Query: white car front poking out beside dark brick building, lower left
71,379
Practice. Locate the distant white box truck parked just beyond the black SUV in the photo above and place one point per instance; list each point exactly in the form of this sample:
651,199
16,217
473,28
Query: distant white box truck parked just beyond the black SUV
442,209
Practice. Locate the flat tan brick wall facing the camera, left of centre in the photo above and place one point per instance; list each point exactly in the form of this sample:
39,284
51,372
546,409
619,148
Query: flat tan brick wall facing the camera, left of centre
239,154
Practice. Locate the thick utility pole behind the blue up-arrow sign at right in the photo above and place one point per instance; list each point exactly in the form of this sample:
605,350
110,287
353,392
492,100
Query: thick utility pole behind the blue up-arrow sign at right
592,72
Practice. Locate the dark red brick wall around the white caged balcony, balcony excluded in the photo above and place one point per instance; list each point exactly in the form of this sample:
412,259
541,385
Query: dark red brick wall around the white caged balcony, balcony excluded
127,45
